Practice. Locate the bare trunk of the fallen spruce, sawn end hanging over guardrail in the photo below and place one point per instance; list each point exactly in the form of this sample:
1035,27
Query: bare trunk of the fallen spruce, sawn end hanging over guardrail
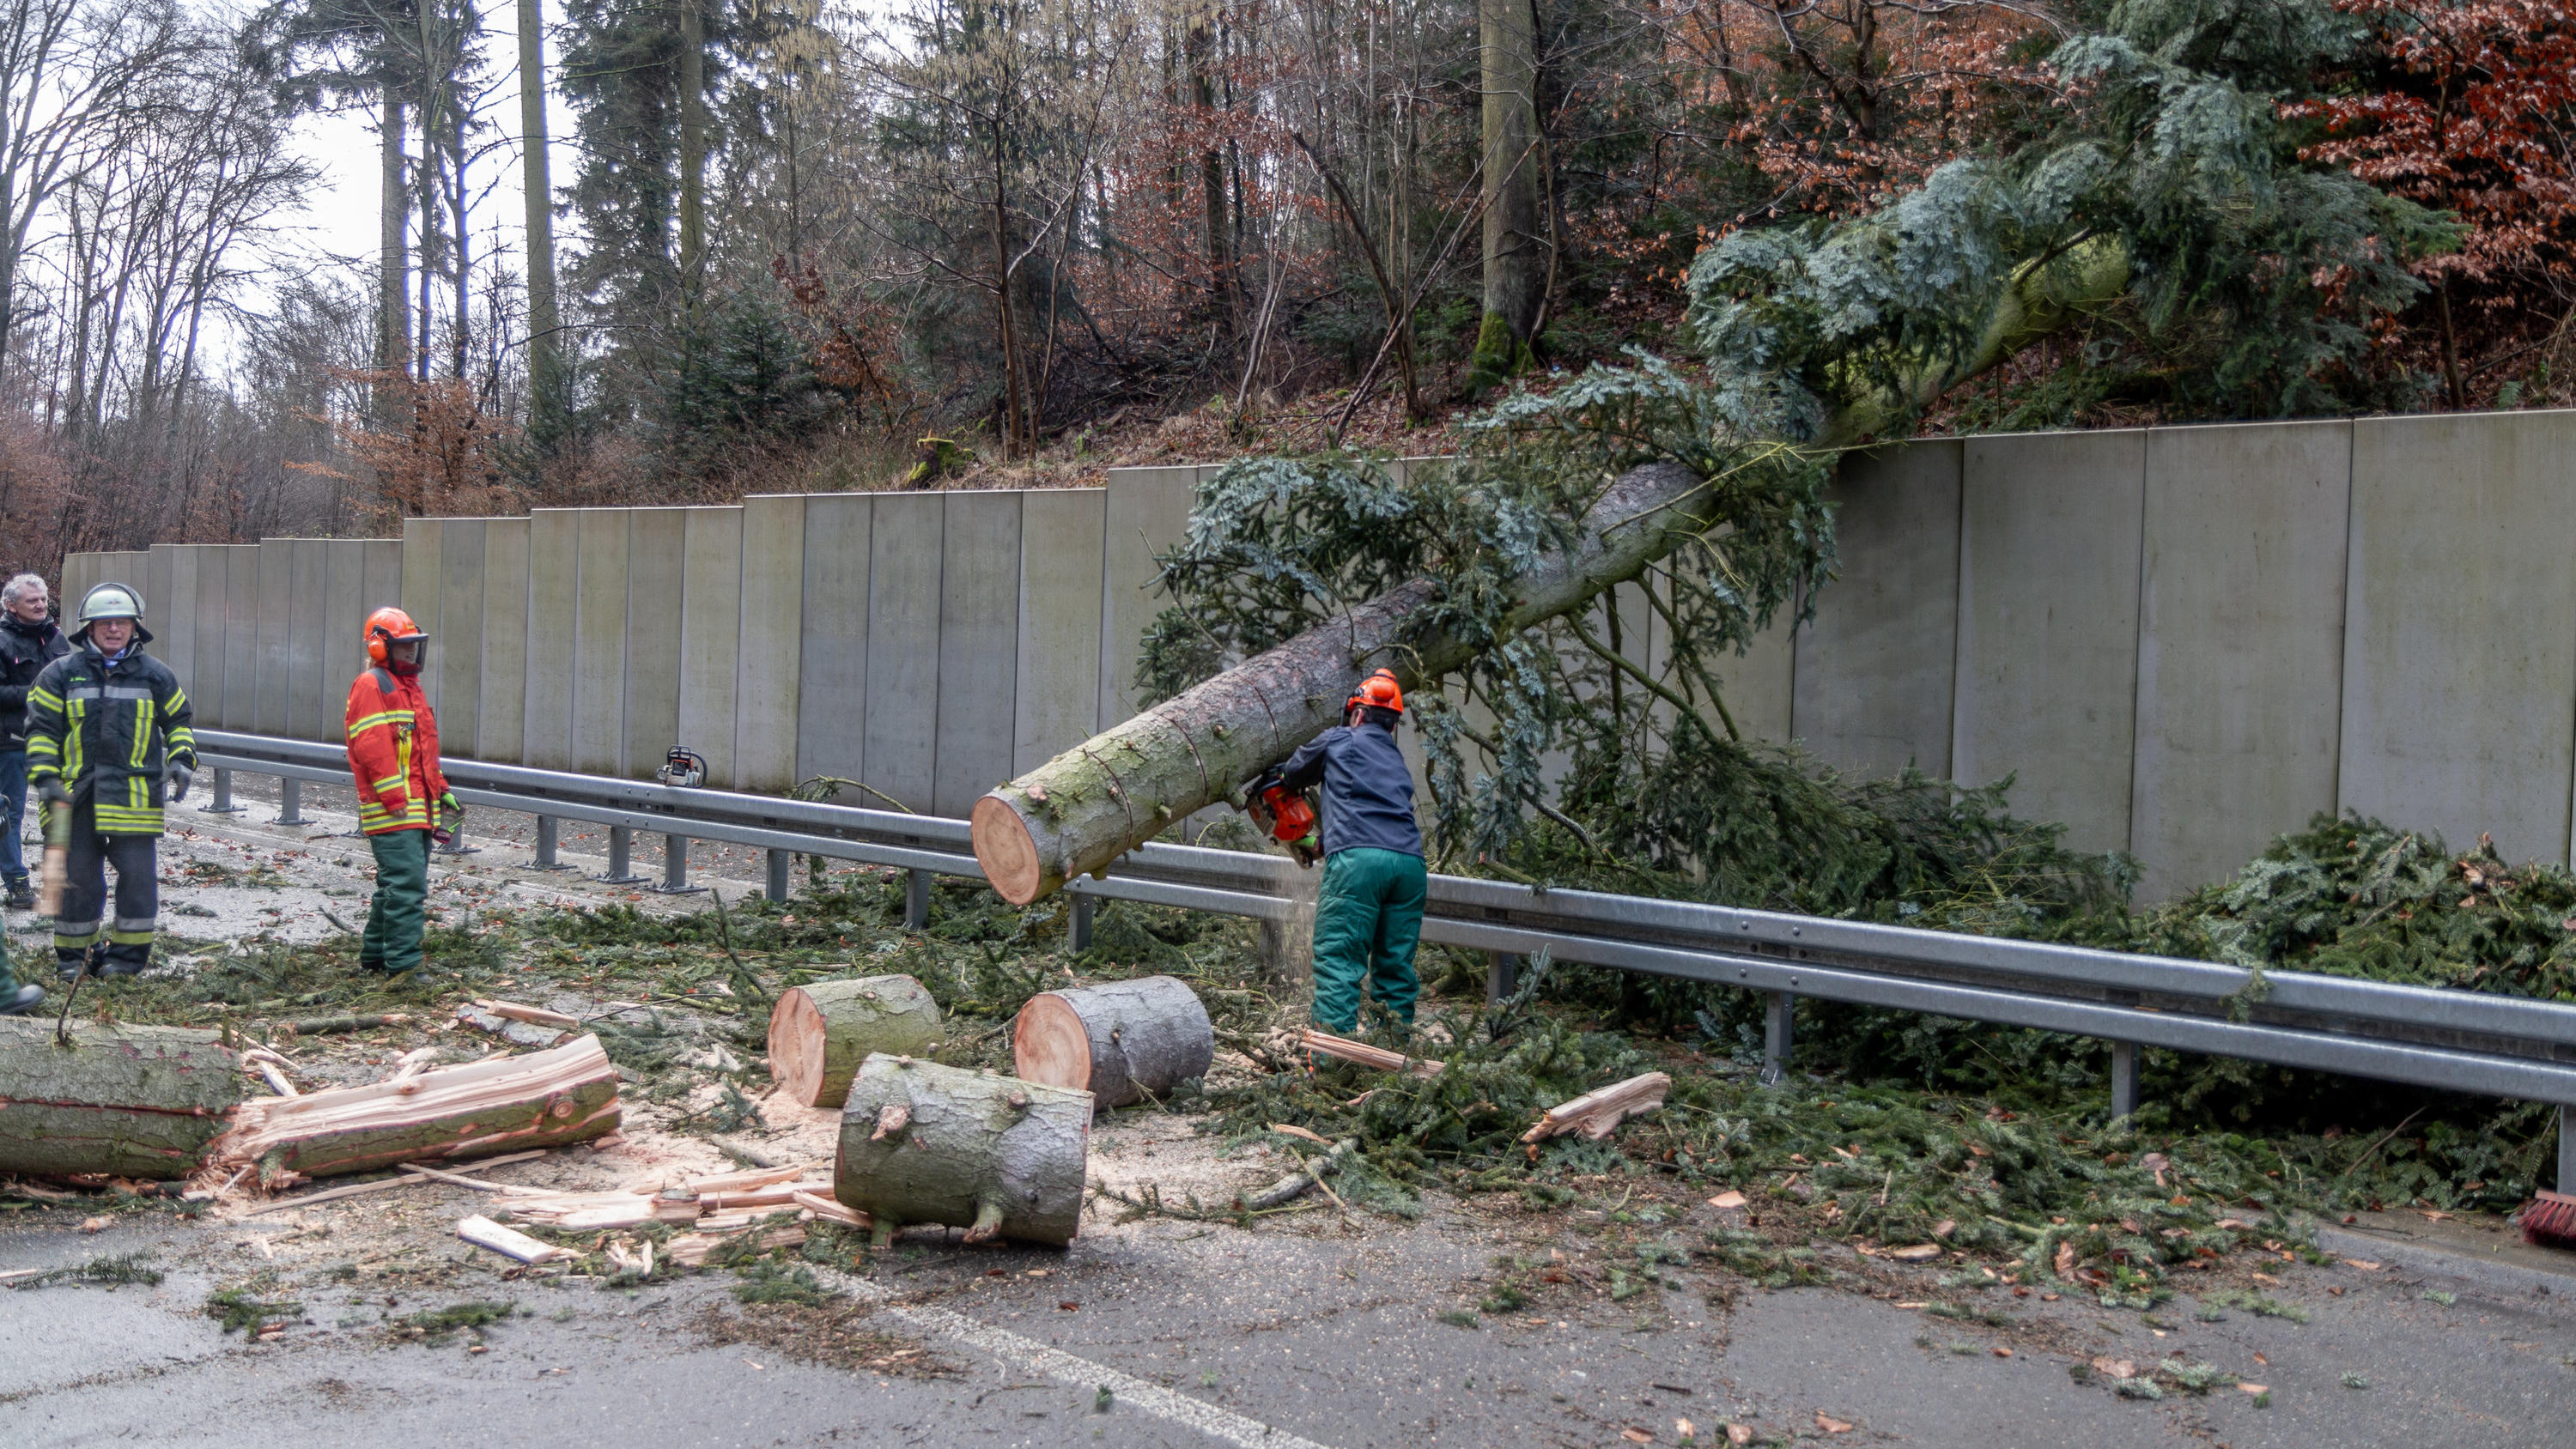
1117,791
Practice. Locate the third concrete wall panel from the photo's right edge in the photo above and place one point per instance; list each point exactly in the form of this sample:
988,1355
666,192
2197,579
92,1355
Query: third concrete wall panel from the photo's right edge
2049,627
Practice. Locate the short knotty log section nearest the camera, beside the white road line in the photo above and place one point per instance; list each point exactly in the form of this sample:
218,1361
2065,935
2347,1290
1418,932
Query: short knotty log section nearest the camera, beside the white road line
990,1154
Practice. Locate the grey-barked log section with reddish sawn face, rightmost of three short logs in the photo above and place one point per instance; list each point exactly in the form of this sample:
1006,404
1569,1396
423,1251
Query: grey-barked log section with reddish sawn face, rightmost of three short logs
1122,1041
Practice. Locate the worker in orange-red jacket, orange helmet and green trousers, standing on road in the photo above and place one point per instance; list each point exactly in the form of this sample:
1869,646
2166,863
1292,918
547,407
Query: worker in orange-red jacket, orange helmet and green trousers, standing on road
393,753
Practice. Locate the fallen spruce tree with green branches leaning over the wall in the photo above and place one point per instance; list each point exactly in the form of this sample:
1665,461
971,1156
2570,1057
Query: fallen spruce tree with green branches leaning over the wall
2170,207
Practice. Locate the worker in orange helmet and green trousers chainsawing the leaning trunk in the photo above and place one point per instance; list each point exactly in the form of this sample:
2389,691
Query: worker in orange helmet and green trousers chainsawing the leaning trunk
1369,918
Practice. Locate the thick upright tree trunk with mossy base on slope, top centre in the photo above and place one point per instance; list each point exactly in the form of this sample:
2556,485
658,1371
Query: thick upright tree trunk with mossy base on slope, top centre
1516,243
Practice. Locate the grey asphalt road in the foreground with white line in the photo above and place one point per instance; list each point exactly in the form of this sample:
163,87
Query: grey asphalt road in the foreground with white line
1220,1337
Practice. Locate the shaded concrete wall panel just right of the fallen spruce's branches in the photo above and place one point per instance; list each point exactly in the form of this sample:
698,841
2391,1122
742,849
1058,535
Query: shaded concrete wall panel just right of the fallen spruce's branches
1874,668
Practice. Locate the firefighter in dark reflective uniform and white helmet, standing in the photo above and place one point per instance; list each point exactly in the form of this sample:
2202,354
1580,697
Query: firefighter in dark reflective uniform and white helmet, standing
109,735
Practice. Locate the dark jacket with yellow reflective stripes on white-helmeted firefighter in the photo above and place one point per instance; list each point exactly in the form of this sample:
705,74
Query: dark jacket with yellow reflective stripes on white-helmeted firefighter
109,730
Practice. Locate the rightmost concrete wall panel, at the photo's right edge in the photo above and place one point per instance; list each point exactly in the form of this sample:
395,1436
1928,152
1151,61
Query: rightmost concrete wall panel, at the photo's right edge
2461,614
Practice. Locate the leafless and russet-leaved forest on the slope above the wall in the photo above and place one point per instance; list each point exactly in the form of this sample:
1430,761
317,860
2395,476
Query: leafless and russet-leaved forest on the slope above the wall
795,238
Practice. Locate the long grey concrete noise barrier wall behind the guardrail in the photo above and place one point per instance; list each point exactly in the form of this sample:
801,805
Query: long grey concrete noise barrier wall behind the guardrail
2178,642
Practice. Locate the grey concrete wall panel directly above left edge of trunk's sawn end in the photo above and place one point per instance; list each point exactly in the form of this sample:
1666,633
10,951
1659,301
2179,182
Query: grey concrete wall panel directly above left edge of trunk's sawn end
980,647
